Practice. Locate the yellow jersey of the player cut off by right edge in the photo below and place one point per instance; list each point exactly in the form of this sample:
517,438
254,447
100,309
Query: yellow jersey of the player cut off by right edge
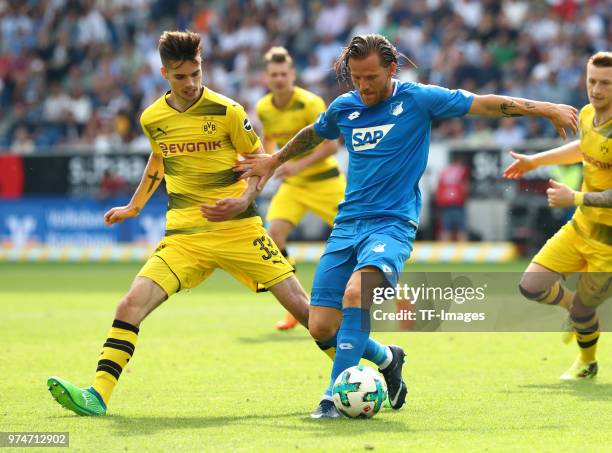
596,147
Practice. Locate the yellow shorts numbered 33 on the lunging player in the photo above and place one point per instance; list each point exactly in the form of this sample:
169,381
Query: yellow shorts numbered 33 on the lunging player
247,253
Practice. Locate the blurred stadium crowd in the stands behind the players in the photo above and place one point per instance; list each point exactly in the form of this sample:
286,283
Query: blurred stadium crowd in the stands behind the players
77,74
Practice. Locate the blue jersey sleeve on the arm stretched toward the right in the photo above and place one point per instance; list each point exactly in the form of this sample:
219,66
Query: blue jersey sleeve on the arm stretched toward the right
441,102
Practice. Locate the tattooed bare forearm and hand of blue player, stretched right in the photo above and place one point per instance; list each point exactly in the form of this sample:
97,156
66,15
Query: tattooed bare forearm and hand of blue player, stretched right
562,116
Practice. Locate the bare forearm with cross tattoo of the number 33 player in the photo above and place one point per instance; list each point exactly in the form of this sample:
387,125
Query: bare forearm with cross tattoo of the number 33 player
152,176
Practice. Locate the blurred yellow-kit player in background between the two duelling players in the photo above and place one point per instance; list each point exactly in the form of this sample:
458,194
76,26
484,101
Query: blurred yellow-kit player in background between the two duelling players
311,183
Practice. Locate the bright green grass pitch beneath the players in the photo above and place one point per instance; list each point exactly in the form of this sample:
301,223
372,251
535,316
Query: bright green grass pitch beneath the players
211,374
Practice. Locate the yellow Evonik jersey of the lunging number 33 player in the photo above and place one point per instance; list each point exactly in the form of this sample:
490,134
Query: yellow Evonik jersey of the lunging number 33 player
200,146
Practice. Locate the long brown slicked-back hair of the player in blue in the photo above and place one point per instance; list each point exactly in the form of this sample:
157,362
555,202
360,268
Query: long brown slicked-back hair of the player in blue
362,46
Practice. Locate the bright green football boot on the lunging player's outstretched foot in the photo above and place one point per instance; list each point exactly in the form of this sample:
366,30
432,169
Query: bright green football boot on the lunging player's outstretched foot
80,401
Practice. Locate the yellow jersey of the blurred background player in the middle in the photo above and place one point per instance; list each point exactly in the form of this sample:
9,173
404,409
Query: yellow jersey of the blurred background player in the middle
281,124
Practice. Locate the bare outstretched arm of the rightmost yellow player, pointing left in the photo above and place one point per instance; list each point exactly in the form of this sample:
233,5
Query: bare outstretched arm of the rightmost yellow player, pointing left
569,153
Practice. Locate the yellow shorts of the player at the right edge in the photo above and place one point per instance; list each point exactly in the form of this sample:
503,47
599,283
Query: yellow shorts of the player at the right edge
568,252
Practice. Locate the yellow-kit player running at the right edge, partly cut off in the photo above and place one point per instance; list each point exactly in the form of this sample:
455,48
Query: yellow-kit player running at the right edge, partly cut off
585,243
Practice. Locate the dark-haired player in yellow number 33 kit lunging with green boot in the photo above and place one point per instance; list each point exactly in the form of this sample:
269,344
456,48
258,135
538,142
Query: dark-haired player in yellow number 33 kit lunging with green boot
196,136
